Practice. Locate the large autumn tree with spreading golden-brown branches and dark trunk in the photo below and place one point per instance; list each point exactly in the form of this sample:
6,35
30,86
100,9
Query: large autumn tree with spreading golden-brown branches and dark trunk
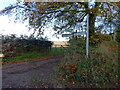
67,16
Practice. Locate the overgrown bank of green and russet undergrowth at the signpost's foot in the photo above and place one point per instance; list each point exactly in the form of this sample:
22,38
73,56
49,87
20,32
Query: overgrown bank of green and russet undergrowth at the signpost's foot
100,71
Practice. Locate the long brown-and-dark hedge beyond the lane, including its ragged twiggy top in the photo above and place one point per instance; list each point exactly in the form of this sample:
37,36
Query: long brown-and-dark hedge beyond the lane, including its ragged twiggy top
13,45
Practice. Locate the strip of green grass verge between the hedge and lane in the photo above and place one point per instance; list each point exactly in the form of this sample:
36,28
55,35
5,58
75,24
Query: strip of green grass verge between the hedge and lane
32,55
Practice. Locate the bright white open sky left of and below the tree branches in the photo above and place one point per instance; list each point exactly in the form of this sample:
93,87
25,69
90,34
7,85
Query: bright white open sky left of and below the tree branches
10,27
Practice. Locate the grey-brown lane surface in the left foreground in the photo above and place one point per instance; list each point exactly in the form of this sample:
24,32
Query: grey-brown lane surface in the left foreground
34,74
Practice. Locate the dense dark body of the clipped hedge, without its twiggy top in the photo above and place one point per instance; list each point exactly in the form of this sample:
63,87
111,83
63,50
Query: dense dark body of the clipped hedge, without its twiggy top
18,46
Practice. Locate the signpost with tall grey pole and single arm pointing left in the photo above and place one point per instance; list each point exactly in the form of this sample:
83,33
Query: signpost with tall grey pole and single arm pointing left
81,33
